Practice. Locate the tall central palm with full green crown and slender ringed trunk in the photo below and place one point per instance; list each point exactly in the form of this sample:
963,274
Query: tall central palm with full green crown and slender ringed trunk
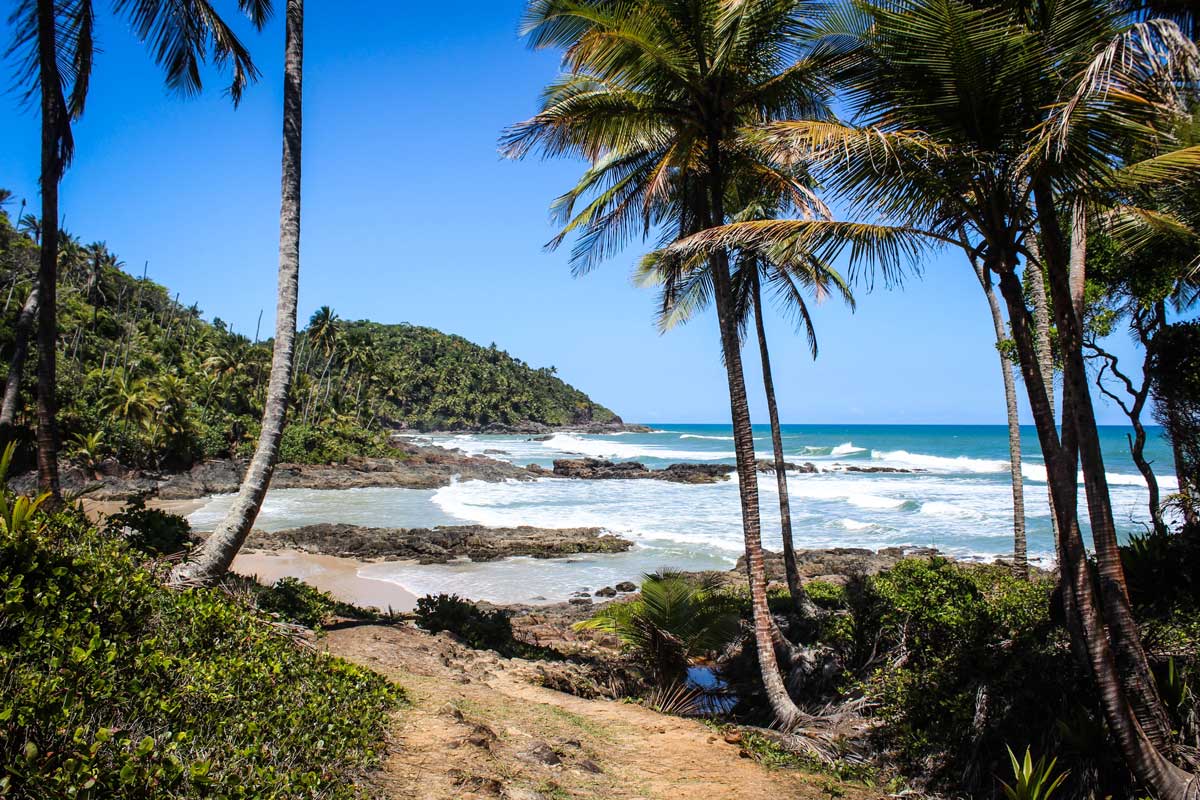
653,95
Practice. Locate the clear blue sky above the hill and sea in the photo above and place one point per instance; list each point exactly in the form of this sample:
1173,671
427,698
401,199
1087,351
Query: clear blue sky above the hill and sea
411,215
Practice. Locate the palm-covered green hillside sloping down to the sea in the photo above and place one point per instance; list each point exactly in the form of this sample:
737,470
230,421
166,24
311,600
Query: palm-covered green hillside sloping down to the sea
146,380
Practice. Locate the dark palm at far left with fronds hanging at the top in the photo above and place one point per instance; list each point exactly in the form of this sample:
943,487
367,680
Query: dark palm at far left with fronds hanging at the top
53,44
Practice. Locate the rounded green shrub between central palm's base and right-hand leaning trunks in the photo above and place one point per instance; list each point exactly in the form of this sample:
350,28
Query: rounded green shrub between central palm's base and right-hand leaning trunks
983,665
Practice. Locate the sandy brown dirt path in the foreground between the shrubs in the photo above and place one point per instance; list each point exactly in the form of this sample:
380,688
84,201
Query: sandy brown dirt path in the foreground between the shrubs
478,729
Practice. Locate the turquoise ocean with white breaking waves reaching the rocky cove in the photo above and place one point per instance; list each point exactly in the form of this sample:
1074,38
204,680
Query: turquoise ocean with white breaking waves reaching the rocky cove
961,502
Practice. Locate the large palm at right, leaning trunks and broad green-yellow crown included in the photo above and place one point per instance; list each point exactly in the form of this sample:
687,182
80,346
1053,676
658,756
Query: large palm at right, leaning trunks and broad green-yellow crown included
950,93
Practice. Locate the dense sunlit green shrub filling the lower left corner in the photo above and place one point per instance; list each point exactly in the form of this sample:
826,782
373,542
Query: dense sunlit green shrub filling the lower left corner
118,687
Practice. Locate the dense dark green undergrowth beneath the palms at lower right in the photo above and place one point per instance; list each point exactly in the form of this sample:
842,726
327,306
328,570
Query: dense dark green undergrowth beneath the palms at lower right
953,664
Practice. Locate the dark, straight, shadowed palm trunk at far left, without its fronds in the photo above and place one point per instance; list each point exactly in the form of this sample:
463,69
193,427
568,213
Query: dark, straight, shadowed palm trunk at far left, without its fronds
53,127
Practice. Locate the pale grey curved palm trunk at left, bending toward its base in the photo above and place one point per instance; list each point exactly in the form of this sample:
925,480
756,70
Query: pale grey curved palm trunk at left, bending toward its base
218,554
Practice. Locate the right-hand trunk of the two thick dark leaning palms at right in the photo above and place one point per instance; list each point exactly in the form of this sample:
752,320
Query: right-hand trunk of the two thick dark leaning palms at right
1079,422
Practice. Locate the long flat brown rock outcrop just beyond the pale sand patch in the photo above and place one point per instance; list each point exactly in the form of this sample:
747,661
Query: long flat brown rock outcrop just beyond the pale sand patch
440,545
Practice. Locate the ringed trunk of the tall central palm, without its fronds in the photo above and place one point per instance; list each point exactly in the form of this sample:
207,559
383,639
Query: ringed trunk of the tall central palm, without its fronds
788,715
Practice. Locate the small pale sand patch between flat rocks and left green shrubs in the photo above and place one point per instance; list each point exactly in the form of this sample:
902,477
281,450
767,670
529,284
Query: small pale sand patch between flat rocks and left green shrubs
338,576
